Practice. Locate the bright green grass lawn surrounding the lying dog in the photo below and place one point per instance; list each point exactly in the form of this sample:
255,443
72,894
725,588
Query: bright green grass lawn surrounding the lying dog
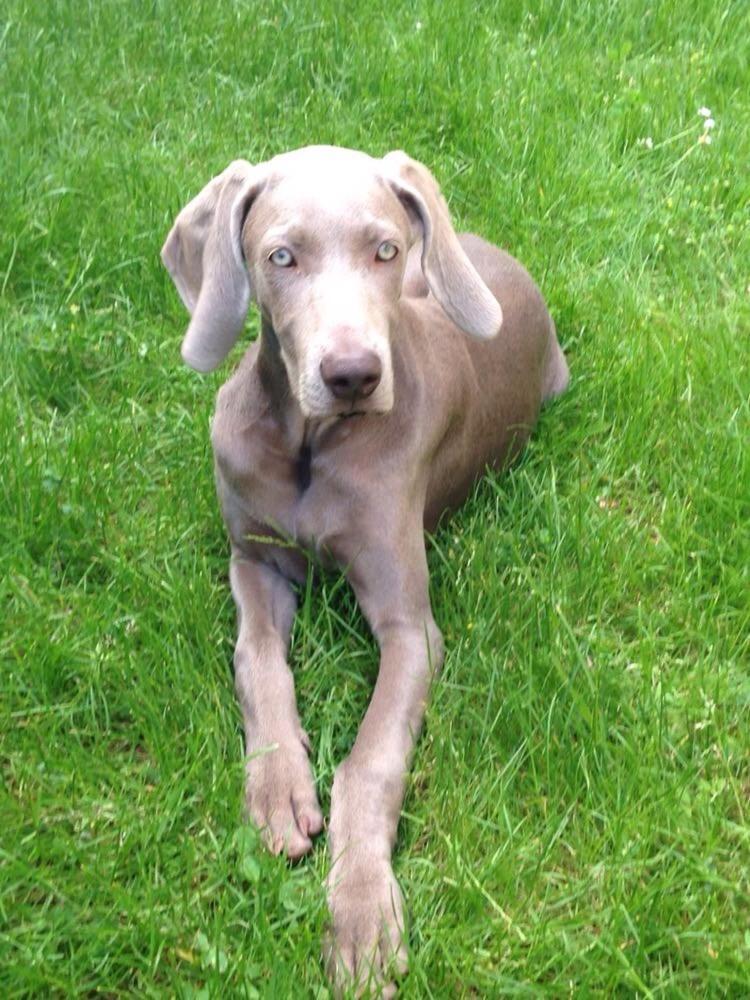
577,822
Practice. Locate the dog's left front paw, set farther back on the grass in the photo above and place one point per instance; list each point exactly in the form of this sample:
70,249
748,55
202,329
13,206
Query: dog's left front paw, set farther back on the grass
280,797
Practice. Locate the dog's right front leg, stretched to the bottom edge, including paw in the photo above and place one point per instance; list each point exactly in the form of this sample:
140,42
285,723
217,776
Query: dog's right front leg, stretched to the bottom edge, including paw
367,941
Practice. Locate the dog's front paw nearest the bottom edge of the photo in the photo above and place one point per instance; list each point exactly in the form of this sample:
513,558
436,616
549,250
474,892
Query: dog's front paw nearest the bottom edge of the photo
365,950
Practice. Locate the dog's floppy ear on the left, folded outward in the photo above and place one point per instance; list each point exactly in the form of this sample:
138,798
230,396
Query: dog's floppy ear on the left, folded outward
203,254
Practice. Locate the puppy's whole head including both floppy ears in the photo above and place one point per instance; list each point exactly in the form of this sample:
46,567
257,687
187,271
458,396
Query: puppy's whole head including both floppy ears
319,238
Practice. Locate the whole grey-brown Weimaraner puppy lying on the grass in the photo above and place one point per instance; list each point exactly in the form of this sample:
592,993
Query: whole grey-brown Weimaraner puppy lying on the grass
361,414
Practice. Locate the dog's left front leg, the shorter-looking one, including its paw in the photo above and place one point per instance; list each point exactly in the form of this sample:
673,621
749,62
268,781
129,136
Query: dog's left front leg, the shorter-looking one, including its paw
280,793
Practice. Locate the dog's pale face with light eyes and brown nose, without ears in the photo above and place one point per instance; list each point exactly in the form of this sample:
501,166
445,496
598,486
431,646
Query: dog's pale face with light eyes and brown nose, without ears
325,241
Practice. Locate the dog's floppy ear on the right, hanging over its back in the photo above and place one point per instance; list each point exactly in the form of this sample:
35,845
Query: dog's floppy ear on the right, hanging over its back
448,271
